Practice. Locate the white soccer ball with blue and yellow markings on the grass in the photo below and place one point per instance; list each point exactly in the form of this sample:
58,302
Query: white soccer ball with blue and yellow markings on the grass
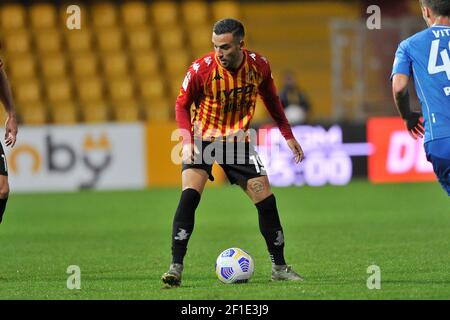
234,265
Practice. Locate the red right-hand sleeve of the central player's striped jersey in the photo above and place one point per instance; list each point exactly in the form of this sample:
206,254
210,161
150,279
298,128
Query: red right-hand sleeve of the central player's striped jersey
269,95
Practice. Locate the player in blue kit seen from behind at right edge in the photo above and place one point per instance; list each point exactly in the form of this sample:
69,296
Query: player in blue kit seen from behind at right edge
426,58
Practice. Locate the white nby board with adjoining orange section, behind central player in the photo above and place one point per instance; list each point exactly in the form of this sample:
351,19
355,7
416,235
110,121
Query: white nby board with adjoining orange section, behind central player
99,157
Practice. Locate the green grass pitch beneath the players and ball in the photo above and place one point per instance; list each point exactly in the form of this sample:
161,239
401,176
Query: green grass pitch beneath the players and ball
121,242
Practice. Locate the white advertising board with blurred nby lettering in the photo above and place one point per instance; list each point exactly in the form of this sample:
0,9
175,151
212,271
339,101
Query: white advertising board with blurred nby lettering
70,158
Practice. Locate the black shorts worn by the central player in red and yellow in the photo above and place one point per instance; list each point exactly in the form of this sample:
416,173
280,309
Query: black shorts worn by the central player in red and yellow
239,160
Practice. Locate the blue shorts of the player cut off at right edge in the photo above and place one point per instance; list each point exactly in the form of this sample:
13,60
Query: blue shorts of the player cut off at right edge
438,153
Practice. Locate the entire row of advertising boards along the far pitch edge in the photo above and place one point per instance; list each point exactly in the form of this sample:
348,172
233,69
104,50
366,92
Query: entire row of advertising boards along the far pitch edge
139,155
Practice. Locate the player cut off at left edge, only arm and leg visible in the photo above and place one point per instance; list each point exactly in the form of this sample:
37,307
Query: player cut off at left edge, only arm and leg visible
10,137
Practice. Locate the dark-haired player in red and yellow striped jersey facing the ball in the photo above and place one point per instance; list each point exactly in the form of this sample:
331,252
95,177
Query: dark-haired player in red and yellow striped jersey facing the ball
223,85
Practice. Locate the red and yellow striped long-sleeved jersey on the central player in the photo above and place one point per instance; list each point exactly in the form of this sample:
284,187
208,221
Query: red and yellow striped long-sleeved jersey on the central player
225,99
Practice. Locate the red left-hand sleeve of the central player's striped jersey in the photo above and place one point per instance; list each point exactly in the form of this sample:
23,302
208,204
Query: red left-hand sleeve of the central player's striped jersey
189,92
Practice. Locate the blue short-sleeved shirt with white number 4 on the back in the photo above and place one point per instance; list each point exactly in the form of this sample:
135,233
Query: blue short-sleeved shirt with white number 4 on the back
426,57
